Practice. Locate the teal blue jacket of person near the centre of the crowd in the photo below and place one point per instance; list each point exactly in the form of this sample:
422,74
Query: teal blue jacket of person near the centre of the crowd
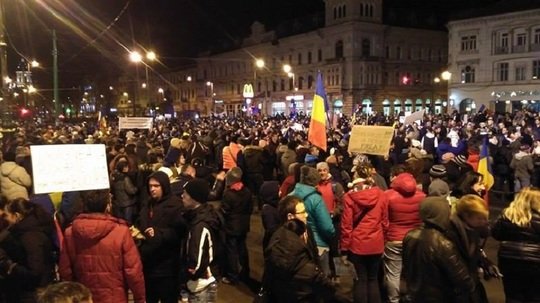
318,216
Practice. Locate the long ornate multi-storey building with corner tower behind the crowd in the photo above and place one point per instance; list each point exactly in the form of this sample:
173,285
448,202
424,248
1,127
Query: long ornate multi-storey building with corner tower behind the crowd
366,65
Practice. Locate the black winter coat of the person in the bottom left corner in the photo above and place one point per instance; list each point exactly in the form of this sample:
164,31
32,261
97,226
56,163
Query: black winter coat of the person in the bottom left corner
30,245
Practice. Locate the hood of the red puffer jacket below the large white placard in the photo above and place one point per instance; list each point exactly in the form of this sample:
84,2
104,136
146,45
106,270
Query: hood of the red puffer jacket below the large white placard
94,226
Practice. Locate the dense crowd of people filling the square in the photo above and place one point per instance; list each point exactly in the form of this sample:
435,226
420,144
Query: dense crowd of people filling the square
412,224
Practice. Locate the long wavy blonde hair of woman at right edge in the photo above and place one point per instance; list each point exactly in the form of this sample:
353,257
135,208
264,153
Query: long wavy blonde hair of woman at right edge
519,211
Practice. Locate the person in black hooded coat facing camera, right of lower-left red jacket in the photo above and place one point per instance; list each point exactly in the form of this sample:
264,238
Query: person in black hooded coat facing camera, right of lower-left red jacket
164,228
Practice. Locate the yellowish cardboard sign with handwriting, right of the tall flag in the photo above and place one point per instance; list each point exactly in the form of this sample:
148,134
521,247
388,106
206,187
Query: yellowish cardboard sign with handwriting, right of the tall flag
372,140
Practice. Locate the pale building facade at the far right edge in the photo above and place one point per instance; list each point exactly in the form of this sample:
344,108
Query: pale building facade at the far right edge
495,61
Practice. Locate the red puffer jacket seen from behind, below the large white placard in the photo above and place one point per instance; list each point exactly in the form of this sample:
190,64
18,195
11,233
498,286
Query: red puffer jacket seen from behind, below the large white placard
99,253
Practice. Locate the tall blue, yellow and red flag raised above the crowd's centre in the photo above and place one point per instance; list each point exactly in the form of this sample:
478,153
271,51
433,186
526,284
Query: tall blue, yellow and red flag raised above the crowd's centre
317,125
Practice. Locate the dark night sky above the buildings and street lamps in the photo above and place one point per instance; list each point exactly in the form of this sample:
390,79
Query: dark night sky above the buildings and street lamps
177,30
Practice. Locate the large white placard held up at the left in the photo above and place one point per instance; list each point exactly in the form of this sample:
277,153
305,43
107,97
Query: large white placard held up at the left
69,167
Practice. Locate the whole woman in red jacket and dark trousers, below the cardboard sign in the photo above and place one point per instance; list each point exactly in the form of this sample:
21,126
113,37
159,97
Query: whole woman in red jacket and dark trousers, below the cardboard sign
362,237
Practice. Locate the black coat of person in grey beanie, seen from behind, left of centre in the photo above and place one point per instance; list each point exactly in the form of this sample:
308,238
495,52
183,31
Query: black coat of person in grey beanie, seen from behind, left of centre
237,208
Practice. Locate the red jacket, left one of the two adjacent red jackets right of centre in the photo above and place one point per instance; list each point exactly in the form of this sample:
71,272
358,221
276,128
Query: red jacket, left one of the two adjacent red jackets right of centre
367,237
